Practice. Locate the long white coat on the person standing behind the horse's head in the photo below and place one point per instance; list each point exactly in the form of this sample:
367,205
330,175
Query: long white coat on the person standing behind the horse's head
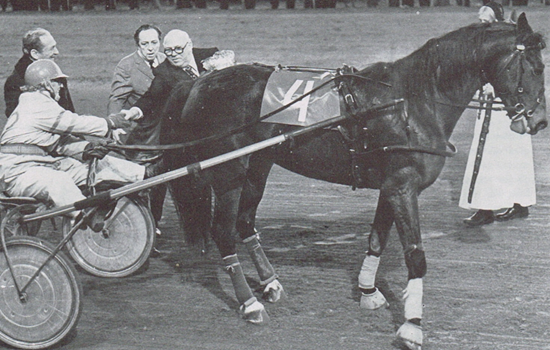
506,175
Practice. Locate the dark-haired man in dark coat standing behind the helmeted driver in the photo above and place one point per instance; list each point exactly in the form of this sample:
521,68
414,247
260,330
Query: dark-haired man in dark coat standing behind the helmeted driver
37,44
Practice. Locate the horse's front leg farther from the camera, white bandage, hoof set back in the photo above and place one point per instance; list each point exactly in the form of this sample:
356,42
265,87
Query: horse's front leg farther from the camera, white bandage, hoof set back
371,298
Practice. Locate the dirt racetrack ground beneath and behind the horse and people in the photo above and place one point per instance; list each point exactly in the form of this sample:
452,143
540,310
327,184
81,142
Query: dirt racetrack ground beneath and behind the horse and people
486,288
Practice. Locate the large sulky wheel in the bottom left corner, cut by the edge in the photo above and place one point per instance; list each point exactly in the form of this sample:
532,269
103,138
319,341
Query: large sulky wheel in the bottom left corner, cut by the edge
49,308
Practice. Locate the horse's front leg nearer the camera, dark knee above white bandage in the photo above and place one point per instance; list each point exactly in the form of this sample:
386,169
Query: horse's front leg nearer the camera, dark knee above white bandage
403,197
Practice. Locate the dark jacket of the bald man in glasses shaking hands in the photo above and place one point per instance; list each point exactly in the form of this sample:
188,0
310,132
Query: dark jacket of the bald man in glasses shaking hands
153,101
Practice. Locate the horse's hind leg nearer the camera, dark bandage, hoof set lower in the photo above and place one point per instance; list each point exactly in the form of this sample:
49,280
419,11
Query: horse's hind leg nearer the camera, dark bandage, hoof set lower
225,216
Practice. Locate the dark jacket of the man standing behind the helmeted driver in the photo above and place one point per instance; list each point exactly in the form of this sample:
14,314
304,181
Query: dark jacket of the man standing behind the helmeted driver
12,87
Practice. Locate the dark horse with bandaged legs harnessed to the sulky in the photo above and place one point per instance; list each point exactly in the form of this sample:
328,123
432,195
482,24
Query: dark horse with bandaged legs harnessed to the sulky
405,152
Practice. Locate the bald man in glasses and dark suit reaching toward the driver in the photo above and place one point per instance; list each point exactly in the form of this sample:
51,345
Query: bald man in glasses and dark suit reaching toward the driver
183,63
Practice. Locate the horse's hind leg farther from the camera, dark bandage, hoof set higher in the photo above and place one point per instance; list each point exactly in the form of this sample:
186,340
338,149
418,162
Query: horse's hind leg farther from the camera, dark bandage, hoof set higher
253,189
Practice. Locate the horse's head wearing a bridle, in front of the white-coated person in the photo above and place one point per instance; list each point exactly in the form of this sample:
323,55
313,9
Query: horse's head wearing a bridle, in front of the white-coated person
517,74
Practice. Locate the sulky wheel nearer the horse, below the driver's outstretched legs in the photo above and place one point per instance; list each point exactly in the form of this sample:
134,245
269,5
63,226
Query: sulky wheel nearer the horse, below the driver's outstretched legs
122,247
